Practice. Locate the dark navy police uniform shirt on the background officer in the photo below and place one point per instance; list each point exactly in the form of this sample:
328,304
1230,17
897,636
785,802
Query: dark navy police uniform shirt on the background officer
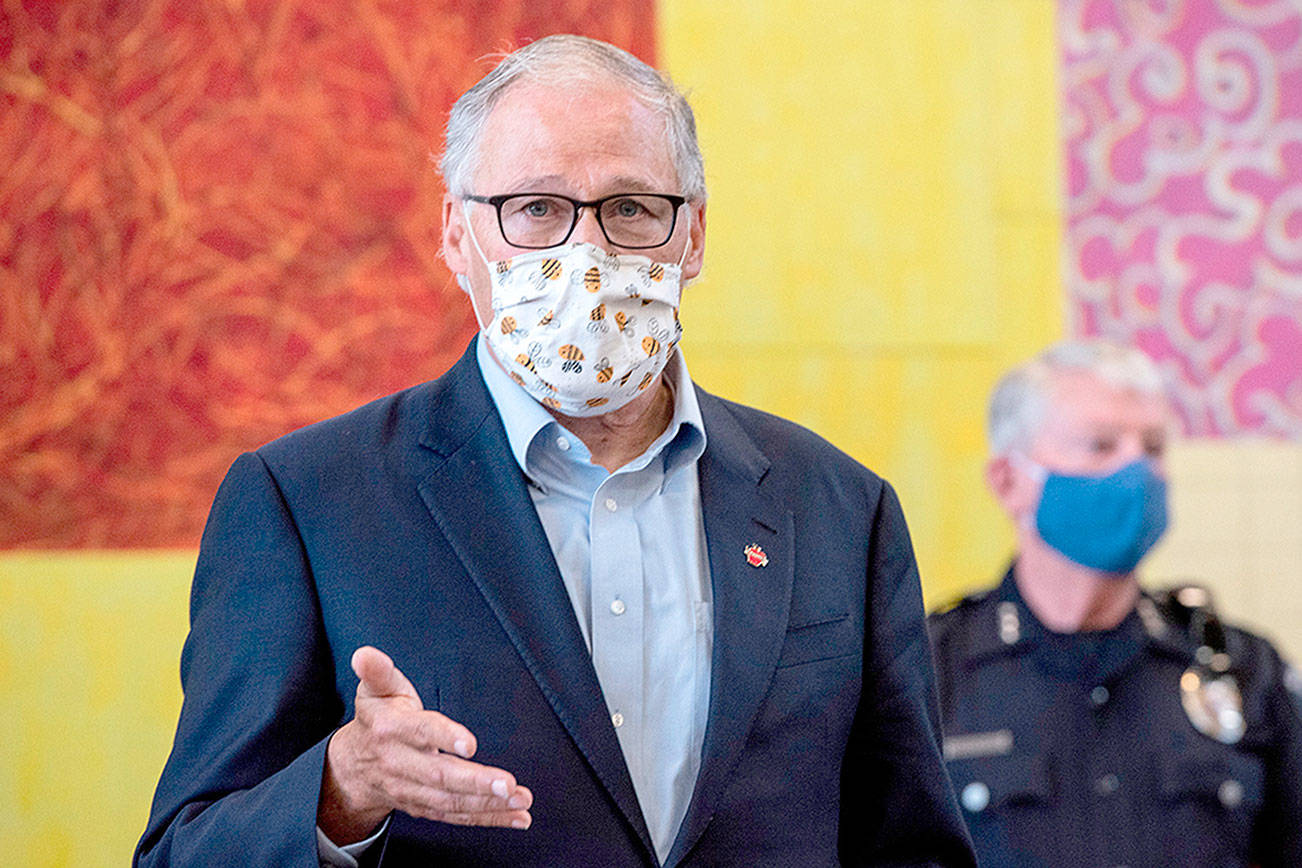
1076,750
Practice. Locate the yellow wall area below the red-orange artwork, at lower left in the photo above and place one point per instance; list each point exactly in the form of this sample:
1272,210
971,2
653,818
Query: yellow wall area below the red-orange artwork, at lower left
90,649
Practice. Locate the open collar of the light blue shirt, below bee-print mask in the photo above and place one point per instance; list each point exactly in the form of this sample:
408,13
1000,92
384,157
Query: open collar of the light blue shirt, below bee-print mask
525,420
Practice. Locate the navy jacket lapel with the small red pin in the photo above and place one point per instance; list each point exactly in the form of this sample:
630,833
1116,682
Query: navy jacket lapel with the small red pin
752,603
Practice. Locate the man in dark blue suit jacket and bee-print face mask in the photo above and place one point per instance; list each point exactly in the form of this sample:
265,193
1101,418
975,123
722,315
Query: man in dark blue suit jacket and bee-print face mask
559,607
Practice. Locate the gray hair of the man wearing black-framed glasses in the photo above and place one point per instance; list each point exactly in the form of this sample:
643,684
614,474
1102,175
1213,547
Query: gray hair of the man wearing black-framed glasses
570,59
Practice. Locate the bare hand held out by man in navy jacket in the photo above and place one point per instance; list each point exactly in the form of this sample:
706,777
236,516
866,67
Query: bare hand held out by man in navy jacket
396,755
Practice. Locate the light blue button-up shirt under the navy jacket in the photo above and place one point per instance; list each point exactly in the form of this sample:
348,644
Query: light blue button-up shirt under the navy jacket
631,547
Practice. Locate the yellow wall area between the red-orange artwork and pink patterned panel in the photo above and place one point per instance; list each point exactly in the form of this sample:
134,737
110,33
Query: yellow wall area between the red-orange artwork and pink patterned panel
883,232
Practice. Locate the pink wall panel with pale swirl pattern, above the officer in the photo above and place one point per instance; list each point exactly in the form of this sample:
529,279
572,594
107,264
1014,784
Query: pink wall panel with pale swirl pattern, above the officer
1183,128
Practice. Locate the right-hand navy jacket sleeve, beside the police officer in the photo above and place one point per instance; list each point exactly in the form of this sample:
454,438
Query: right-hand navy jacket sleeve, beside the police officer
898,802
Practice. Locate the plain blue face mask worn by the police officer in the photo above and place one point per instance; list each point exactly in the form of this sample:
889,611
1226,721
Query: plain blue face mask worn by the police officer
1107,524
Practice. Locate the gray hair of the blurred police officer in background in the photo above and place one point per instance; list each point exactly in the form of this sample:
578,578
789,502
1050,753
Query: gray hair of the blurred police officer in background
1021,398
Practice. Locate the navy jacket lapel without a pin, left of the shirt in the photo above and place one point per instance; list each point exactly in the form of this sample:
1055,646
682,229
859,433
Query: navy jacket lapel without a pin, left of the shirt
478,498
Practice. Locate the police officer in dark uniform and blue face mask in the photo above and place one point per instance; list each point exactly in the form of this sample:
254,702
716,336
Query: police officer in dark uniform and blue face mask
1087,722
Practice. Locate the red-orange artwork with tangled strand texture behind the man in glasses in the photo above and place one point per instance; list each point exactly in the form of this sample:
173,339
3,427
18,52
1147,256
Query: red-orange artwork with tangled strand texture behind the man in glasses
218,223
